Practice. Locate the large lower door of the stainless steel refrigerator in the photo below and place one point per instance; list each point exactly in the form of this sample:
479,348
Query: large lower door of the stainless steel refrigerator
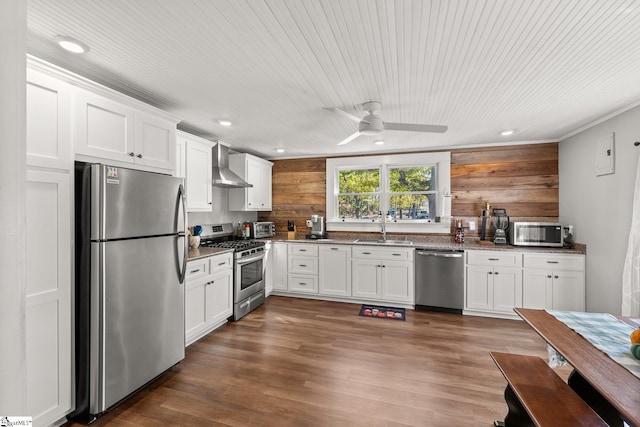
139,315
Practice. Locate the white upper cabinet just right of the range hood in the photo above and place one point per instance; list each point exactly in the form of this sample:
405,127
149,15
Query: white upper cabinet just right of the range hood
255,171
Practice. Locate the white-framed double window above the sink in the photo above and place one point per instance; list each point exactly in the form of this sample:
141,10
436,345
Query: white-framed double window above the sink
411,190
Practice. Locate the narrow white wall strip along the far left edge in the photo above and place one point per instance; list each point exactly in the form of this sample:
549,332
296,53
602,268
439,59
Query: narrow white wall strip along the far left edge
12,207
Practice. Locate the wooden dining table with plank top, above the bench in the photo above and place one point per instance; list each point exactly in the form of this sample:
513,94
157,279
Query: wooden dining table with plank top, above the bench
610,389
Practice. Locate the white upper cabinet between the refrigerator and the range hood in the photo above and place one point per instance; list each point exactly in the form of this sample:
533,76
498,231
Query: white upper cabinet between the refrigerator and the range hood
197,171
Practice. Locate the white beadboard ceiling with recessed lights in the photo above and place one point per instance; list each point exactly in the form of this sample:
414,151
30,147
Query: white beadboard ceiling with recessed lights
542,67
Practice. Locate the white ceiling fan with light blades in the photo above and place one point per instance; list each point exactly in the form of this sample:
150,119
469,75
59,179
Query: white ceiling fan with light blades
372,123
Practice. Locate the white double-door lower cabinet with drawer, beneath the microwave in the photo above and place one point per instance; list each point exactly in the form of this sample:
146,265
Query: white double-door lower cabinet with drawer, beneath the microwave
554,281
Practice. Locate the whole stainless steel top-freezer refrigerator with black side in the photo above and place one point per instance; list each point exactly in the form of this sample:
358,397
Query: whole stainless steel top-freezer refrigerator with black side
131,253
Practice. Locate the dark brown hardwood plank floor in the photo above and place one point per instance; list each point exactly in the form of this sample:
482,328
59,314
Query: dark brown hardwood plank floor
297,362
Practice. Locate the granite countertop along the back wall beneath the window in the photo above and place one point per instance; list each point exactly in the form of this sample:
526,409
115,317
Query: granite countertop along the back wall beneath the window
429,242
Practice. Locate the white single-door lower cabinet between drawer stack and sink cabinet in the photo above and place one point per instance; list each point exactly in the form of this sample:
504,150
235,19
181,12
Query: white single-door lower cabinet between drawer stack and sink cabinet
335,268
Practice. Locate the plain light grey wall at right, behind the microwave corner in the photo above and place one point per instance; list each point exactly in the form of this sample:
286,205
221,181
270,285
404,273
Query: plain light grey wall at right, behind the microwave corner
599,207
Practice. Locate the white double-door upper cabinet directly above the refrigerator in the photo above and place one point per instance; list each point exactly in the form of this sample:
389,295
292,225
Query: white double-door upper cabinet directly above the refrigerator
115,131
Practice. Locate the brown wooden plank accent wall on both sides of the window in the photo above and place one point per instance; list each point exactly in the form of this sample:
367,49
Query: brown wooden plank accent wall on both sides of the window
523,179
